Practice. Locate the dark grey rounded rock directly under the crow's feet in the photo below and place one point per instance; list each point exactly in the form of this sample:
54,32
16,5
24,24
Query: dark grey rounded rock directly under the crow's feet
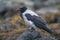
29,35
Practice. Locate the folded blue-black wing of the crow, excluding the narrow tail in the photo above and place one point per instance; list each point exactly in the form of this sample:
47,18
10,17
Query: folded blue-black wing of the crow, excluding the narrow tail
36,20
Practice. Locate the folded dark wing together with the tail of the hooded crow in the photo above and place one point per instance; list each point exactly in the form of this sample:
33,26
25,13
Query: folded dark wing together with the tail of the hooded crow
40,23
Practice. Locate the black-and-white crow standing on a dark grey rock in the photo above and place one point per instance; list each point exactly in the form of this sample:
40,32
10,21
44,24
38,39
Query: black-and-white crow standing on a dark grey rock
33,20
